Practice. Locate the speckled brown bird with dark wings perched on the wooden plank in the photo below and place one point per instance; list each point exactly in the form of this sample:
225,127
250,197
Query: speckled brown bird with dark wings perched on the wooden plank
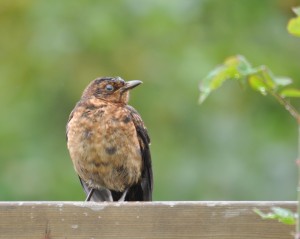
108,143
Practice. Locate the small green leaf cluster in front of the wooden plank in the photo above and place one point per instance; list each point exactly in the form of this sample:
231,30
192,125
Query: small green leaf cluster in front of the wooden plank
281,214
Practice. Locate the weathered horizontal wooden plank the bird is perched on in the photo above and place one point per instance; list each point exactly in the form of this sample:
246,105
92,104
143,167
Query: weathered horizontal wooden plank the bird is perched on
226,220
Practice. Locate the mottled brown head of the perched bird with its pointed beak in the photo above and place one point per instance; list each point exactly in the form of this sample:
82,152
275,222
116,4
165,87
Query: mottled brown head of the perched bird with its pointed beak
112,89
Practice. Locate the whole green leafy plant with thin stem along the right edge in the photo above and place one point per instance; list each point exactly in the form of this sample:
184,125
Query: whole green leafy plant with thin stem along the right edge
260,79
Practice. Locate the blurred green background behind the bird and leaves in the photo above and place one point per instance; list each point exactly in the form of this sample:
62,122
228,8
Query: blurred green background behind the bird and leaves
238,145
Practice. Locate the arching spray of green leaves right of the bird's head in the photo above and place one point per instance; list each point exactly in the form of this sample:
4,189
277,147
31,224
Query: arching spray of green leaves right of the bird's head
260,79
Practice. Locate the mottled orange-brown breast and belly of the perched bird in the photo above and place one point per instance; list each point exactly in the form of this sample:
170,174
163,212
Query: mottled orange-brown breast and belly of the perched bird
104,147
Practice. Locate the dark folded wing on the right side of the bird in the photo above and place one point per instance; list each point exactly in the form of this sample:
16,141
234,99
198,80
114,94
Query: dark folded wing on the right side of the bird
143,191
